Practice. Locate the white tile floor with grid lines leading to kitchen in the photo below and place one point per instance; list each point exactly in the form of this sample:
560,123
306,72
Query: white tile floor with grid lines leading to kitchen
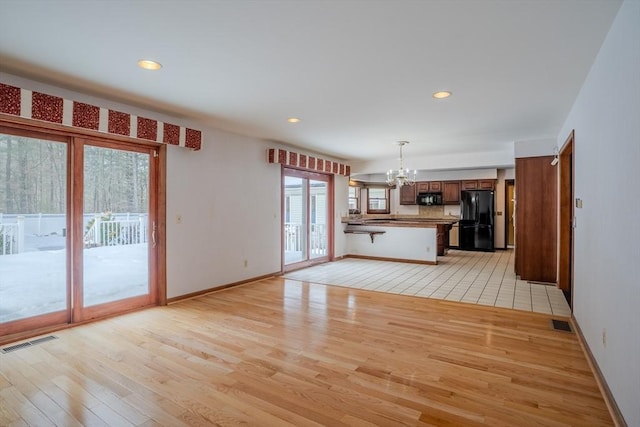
485,278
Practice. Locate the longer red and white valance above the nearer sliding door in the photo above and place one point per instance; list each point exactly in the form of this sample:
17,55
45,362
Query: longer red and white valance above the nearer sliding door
39,106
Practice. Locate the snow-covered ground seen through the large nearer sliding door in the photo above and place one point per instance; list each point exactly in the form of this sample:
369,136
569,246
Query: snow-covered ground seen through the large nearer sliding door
33,283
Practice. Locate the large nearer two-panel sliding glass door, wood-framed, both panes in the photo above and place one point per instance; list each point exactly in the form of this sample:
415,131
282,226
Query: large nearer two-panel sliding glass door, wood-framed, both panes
77,229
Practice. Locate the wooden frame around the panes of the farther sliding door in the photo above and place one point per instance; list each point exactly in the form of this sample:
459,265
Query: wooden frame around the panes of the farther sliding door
308,175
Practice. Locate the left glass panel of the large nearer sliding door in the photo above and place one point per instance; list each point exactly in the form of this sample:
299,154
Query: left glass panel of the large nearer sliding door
33,232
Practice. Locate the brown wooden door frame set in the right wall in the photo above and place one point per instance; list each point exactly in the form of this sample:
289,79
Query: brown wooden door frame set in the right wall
566,192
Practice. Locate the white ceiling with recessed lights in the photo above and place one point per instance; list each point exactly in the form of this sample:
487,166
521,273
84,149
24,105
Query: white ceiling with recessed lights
360,74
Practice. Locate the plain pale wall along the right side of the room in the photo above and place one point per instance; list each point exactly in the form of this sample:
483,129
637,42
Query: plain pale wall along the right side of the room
606,119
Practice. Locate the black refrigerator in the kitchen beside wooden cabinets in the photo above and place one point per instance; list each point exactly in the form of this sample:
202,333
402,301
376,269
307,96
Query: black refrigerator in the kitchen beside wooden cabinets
476,220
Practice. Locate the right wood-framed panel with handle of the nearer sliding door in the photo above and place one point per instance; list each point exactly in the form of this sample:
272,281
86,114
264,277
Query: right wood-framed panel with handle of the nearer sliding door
119,229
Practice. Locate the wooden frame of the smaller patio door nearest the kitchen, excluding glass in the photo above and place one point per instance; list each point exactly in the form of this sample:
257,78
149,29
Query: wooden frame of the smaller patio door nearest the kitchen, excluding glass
316,176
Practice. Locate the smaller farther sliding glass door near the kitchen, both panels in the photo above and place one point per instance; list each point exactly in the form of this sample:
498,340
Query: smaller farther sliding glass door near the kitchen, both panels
306,218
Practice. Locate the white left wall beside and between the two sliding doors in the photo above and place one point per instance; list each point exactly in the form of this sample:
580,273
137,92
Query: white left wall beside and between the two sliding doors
231,212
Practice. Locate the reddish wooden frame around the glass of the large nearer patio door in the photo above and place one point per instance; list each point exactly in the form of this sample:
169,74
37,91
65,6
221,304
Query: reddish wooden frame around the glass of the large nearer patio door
75,140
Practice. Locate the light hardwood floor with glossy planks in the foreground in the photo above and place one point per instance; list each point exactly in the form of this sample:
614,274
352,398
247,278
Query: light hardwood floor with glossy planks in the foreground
283,352
